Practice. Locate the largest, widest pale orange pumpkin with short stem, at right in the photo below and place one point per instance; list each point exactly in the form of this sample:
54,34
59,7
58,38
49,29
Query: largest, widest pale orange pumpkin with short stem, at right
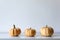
46,31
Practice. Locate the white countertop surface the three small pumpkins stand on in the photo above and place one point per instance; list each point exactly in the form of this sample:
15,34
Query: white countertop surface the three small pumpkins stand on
5,35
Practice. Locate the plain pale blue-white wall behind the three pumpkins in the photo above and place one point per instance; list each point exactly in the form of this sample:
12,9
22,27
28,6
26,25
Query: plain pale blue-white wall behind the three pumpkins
32,13
